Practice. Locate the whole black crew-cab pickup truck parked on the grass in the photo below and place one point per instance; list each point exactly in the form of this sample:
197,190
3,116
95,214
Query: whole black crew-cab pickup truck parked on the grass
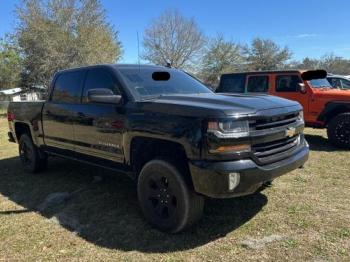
164,128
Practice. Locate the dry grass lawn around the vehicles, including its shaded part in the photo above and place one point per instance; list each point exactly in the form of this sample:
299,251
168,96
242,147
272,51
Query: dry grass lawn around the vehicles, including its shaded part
309,208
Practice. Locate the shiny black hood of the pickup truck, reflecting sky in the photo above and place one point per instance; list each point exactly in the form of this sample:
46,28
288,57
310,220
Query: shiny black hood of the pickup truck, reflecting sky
216,105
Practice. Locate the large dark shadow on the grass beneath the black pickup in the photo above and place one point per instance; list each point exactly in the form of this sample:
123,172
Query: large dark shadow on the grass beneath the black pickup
108,211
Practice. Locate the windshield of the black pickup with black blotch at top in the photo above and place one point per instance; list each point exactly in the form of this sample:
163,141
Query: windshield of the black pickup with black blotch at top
146,85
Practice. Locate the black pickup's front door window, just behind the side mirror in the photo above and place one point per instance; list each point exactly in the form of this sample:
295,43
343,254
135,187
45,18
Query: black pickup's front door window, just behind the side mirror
99,78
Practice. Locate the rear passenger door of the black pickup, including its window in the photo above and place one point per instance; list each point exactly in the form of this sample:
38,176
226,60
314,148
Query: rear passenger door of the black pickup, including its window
59,111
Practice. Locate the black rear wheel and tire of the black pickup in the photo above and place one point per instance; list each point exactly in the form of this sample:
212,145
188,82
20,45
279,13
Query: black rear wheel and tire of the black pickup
32,159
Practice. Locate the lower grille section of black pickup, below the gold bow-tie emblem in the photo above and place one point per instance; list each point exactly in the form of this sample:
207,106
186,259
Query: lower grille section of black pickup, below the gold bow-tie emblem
276,150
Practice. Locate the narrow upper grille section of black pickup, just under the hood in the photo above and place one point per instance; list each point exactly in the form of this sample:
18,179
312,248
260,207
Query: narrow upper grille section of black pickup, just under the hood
273,122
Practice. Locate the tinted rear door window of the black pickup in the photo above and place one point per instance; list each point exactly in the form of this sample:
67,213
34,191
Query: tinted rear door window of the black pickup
67,87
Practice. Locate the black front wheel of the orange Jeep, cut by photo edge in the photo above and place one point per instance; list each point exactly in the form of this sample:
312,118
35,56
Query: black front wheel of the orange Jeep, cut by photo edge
339,130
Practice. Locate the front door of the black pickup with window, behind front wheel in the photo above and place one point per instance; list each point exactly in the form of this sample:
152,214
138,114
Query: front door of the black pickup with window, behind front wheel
98,127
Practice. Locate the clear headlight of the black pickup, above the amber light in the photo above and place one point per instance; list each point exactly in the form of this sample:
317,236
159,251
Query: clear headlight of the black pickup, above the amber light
229,129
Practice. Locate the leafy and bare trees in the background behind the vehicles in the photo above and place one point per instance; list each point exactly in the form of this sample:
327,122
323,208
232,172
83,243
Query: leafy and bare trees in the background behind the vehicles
56,34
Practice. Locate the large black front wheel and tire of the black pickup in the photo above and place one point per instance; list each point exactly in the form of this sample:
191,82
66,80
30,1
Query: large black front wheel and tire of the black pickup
167,201
